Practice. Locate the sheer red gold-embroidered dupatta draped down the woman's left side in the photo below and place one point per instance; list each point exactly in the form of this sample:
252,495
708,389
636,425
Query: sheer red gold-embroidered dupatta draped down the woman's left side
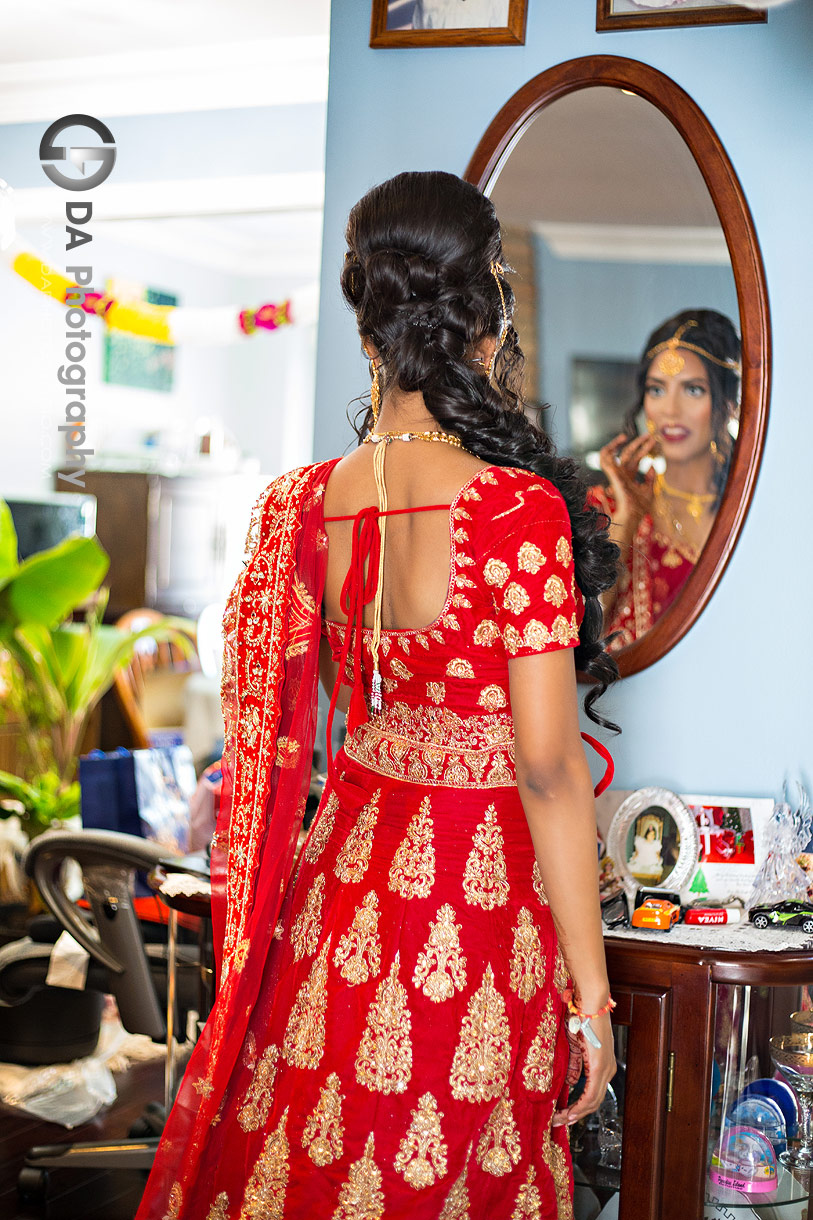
272,631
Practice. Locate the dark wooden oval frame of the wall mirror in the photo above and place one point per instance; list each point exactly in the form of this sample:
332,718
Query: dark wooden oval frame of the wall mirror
753,296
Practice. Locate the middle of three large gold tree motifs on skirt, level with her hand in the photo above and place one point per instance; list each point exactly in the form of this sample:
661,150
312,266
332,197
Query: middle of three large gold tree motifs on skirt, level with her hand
385,1058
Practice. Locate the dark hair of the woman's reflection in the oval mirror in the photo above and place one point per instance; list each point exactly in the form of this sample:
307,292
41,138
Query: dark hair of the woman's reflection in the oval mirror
716,335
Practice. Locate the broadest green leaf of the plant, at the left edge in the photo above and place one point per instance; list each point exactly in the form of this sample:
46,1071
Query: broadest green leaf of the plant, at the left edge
49,585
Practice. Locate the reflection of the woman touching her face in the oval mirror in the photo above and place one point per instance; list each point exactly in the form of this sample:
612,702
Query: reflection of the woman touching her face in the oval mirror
665,486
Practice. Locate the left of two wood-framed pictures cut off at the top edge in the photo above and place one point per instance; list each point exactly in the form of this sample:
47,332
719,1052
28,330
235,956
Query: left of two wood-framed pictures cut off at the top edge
449,23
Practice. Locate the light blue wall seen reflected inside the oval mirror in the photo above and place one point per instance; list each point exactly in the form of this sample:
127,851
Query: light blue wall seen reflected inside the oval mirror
607,310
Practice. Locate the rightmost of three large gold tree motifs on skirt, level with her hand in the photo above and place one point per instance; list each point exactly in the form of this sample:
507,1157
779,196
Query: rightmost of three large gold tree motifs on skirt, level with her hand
484,1053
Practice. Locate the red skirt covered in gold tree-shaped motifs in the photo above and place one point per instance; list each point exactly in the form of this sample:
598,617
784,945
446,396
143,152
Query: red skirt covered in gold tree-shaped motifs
408,1050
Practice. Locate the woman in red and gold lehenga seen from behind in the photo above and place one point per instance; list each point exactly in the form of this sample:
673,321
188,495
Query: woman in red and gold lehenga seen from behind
390,1036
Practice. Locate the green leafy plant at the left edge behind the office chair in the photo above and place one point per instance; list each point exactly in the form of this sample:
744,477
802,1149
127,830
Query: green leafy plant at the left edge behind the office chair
54,672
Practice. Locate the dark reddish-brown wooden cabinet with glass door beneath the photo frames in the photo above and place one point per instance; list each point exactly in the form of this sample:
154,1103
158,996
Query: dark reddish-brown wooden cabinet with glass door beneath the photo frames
694,1030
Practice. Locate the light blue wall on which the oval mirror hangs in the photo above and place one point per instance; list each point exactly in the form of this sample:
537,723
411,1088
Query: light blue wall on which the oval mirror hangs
729,709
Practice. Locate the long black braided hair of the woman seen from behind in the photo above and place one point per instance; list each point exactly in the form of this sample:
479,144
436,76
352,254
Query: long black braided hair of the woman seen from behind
418,275
